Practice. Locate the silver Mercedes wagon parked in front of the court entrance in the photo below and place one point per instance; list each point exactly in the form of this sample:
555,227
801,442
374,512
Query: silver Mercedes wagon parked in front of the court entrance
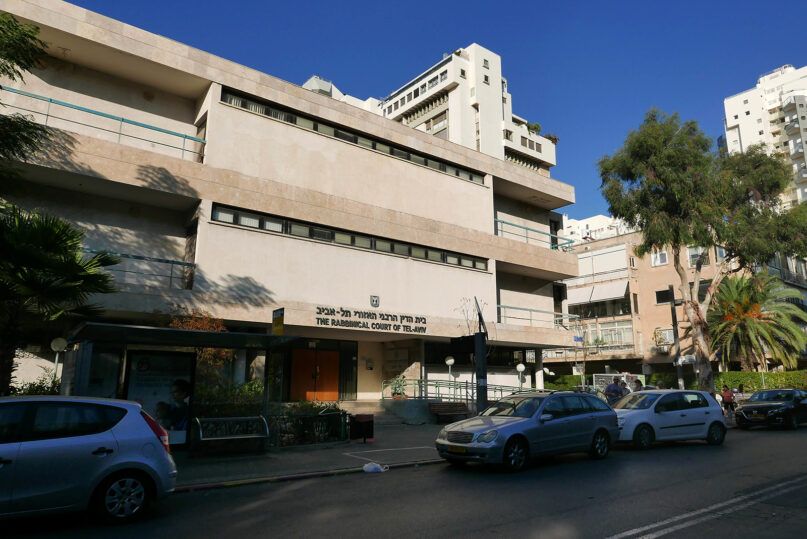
529,424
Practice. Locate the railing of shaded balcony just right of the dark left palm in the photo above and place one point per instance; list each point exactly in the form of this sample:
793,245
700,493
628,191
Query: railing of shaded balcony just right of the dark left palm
148,271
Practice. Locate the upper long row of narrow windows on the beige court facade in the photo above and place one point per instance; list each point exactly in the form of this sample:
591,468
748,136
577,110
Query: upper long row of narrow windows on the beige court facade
349,136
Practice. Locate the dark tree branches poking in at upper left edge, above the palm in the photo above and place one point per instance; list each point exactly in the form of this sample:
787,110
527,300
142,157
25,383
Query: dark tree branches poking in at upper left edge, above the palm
20,50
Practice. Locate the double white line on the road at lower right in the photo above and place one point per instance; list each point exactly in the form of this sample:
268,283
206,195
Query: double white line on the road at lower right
740,502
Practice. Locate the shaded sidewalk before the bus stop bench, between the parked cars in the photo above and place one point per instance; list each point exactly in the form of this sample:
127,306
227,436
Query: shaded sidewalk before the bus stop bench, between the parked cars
395,445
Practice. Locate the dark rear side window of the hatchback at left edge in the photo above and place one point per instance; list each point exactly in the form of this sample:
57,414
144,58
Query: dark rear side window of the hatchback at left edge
67,419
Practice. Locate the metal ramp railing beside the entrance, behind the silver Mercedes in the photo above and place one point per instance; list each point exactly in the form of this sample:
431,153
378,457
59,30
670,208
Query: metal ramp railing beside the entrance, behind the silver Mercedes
440,389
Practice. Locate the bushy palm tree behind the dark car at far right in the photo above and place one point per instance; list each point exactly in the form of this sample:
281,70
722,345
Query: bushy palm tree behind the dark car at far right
752,320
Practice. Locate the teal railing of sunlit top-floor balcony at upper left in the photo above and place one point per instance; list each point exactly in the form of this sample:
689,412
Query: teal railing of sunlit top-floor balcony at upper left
62,115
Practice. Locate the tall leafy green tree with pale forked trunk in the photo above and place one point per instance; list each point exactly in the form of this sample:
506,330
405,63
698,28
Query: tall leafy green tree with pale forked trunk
666,182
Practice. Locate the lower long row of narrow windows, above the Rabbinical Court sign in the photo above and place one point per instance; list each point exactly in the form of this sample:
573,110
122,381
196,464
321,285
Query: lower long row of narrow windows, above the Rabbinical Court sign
316,232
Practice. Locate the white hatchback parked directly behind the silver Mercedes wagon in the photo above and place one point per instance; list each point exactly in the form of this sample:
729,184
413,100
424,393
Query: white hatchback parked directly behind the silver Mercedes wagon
647,416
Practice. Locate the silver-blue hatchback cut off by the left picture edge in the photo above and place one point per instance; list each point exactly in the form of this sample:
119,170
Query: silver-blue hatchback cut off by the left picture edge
70,453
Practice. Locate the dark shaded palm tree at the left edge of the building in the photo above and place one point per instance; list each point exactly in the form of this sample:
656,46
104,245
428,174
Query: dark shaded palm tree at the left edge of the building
44,273
